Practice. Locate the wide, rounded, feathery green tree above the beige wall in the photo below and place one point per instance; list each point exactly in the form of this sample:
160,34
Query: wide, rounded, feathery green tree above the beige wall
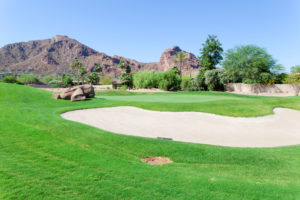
247,63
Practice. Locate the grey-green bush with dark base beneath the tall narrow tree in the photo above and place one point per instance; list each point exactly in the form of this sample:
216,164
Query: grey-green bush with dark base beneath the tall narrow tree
215,79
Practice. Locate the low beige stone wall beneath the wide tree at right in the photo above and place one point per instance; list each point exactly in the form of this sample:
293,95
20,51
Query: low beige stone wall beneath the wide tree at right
266,90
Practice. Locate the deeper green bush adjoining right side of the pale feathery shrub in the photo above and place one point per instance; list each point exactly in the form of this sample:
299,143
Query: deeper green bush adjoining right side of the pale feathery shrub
170,80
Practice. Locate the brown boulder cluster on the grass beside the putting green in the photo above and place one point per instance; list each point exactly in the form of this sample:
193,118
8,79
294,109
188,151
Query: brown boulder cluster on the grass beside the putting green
77,93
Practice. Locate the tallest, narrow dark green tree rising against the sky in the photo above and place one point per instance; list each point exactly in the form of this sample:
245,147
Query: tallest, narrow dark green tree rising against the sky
211,53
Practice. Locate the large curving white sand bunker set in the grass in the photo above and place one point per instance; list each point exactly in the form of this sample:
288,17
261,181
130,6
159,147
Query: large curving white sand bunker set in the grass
279,129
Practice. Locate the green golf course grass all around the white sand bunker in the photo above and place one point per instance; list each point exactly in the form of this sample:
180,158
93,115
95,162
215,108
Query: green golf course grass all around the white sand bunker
43,156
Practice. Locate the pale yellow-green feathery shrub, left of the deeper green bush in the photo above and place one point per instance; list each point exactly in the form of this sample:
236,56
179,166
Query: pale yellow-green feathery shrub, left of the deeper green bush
146,79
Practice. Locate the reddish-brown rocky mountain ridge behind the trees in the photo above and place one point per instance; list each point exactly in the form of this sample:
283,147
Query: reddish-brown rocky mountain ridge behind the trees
53,56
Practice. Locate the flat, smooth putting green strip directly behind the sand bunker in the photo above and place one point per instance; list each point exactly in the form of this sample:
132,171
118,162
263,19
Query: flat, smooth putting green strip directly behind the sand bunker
210,102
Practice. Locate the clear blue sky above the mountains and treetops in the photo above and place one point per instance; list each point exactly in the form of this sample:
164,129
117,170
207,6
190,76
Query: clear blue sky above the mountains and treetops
142,29
